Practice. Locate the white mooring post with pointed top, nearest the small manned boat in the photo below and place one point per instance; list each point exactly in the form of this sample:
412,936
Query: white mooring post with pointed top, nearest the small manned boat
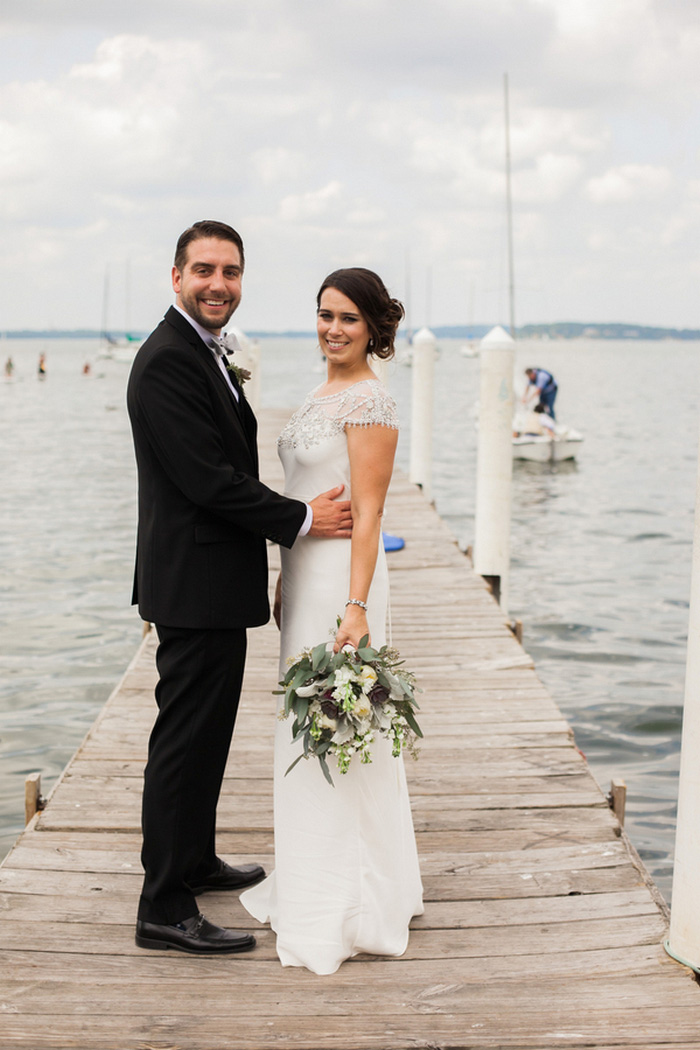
495,463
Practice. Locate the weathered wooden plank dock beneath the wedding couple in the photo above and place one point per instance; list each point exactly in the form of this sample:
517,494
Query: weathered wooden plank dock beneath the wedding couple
541,930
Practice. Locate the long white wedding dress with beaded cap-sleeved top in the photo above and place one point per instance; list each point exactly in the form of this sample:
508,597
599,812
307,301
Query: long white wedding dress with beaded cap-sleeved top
347,877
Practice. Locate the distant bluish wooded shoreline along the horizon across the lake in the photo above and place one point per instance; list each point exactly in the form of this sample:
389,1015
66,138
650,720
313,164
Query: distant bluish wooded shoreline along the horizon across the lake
561,330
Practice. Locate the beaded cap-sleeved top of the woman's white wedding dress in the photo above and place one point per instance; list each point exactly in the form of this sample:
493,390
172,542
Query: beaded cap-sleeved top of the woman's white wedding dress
366,404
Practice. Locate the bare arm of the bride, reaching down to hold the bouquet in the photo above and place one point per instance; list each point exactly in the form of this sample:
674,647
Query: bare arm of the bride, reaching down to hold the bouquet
371,451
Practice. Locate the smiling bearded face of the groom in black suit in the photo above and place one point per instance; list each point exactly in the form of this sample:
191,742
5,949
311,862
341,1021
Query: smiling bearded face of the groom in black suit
208,287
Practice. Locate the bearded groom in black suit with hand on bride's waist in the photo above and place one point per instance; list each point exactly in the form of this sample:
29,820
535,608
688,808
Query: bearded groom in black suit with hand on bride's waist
202,579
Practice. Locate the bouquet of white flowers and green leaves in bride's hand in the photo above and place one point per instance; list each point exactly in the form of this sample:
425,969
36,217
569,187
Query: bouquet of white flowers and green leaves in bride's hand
342,701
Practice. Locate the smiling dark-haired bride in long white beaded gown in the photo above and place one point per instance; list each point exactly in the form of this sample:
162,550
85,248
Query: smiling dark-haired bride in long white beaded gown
347,877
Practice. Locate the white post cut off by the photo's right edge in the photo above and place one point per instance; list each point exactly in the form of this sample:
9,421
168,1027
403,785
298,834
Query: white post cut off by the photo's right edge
684,941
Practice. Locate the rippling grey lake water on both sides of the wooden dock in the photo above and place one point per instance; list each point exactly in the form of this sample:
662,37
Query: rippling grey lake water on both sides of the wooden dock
601,550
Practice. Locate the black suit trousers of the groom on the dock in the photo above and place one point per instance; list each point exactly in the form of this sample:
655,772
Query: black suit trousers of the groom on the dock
201,675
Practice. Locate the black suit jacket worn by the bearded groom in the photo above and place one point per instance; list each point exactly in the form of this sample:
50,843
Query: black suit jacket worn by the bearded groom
204,516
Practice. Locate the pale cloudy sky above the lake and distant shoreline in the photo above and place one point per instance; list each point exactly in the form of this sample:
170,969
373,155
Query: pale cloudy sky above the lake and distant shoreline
357,133
